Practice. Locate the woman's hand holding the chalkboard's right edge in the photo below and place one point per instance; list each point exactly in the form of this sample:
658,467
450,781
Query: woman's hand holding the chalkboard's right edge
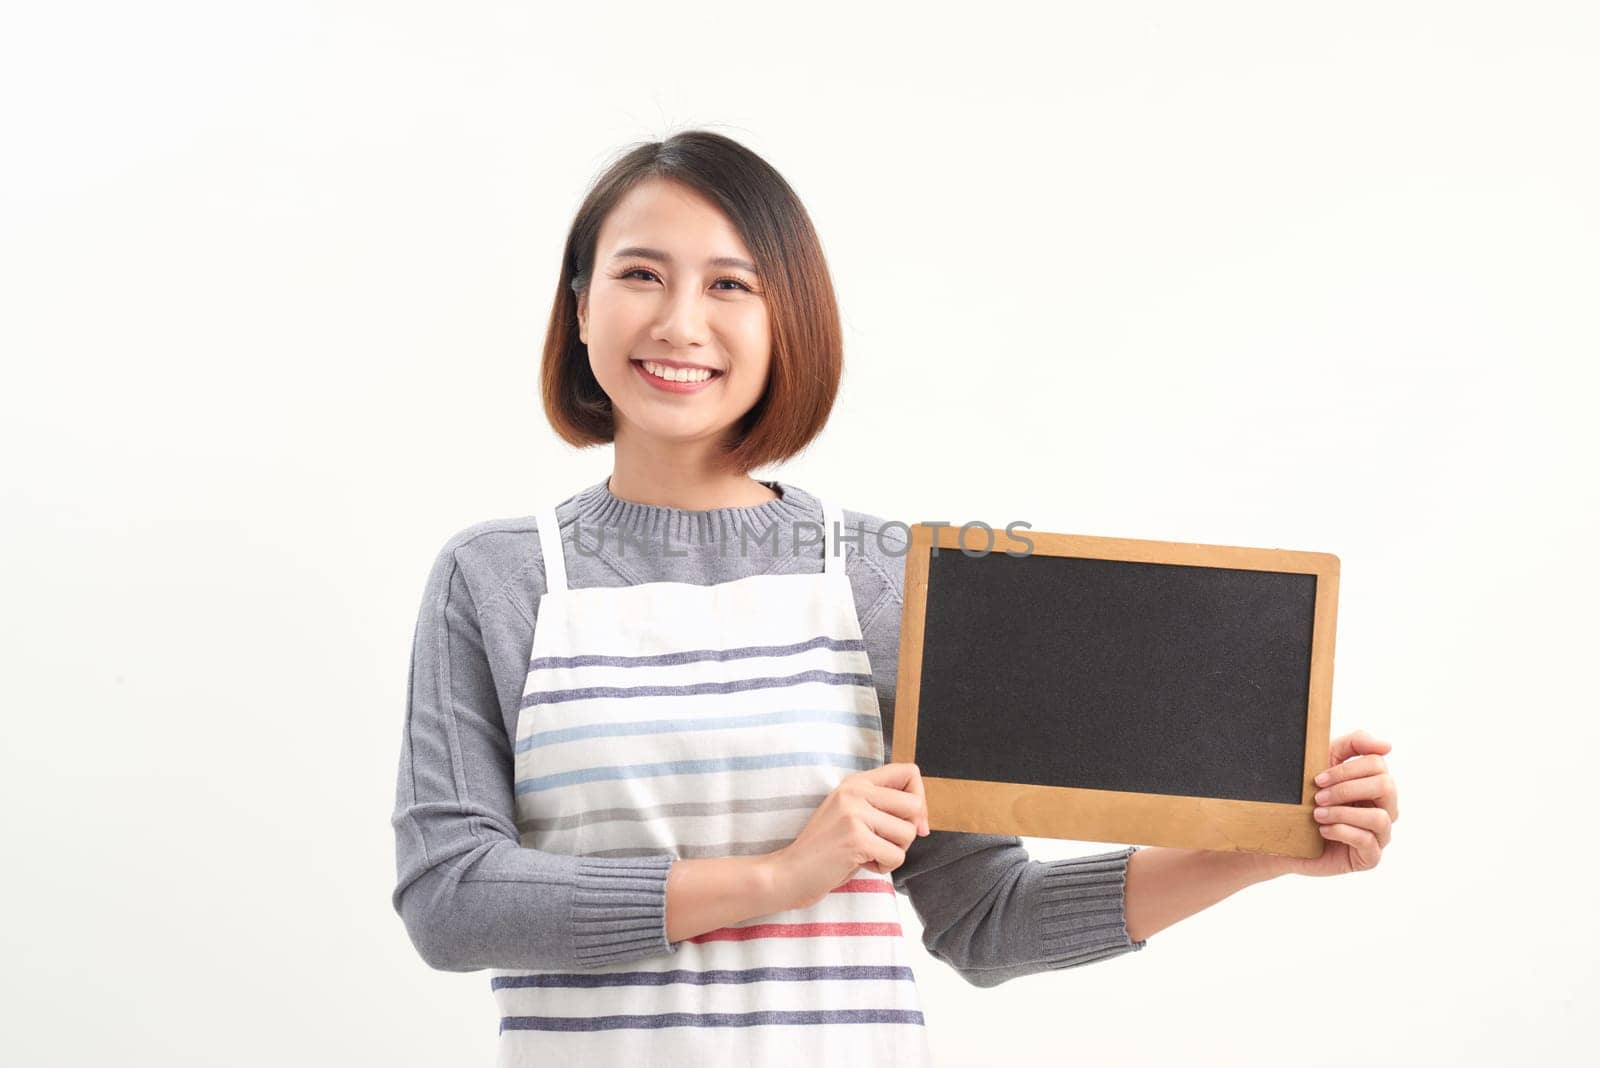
1356,810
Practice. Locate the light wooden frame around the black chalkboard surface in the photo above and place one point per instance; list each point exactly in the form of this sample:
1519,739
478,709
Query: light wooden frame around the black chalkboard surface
1190,823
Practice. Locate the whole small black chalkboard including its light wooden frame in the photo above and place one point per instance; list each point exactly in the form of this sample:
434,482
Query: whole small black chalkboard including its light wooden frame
1118,690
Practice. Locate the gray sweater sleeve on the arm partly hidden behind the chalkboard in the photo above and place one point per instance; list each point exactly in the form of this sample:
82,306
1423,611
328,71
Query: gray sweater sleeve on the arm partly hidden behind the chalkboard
988,909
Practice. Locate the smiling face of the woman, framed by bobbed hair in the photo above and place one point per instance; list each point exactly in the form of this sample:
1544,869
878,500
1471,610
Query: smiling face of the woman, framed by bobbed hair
674,289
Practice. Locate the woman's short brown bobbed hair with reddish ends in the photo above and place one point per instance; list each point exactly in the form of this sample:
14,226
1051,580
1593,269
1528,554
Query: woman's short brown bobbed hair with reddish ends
807,340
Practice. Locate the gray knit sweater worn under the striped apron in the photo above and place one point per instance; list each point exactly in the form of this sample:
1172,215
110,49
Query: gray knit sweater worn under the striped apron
473,898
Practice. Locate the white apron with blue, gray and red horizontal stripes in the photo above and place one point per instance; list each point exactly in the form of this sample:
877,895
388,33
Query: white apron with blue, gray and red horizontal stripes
708,722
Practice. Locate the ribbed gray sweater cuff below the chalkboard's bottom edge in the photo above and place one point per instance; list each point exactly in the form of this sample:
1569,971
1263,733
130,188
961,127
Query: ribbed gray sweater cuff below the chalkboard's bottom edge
1082,909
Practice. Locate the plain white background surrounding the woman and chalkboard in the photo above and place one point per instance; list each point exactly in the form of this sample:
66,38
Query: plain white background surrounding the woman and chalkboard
1287,276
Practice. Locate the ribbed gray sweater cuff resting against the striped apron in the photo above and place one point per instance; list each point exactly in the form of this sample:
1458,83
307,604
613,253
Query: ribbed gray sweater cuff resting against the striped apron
620,909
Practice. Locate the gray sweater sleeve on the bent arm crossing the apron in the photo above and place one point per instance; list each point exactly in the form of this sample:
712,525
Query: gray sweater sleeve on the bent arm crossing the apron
470,895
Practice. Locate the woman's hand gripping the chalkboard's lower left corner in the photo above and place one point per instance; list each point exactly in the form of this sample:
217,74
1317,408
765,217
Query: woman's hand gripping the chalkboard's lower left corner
868,821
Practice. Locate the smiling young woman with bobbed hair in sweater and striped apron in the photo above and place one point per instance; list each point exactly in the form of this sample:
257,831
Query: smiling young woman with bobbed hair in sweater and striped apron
642,778
